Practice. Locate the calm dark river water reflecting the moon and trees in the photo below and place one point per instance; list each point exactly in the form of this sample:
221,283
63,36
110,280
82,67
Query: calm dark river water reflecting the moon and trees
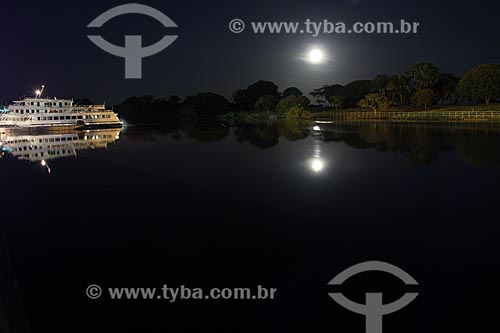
281,205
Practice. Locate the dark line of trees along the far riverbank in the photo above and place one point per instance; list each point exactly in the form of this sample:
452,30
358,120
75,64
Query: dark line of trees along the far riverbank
421,86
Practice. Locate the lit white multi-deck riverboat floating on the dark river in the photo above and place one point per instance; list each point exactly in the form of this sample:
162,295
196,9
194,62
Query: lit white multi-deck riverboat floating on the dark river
38,112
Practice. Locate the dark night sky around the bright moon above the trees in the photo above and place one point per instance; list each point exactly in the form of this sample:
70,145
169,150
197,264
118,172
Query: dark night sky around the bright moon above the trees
44,42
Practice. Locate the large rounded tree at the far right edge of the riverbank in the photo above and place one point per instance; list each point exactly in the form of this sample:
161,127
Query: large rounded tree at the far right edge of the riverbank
481,83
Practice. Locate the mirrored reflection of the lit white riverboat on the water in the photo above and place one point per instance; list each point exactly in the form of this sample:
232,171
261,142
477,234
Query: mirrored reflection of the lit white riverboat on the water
41,147
